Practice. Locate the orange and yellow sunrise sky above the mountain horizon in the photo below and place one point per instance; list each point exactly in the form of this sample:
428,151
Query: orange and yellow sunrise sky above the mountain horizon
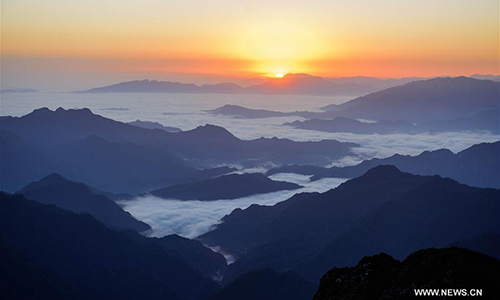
57,44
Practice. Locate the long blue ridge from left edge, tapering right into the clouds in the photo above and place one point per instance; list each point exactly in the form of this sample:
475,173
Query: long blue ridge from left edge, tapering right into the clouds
121,158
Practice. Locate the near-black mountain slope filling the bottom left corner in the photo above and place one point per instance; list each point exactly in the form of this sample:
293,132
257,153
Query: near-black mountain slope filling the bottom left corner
93,261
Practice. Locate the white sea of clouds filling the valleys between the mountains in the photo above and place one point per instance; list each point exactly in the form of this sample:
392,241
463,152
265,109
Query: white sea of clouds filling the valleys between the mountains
186,111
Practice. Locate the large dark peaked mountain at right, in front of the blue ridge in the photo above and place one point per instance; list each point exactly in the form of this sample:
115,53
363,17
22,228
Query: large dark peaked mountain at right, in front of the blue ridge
385,210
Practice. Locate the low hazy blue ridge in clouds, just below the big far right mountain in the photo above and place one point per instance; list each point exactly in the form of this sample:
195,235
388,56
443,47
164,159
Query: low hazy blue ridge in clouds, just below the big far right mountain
341,124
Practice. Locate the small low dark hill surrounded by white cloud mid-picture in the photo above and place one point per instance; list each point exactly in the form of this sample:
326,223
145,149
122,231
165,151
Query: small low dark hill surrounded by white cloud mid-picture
225,187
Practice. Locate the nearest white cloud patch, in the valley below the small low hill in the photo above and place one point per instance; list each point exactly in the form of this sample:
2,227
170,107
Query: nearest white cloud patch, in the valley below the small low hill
193,218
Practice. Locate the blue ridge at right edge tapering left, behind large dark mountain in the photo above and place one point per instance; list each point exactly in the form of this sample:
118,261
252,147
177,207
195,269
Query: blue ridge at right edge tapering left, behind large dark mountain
478,166
